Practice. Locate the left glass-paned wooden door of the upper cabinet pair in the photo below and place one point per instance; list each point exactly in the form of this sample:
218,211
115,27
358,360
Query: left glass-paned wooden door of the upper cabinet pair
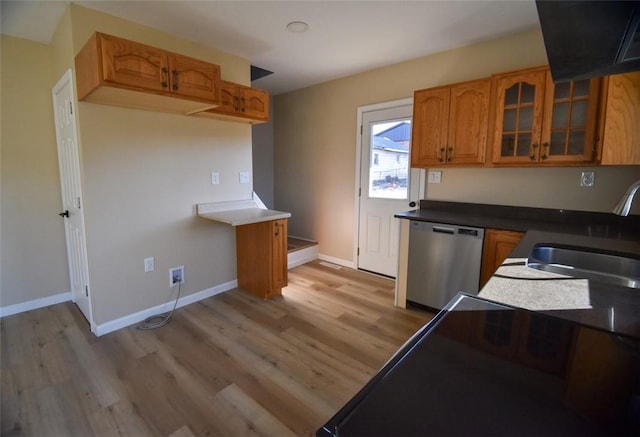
519,99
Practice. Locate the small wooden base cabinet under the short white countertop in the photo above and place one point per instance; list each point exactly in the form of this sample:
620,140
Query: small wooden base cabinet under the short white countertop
261,251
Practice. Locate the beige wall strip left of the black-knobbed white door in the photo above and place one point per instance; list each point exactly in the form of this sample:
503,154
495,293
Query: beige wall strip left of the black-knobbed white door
33,256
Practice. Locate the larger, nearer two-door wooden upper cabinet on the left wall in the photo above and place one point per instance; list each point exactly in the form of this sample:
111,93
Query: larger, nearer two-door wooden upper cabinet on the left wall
108,68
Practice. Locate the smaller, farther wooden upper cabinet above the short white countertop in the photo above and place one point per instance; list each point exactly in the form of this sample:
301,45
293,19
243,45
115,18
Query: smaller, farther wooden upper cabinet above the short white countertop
242,103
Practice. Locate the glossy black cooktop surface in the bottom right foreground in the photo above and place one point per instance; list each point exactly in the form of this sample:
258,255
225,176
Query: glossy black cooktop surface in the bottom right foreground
459,376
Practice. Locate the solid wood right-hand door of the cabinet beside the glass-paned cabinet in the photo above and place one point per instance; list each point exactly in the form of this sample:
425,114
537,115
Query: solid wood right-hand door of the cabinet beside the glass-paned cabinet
468,122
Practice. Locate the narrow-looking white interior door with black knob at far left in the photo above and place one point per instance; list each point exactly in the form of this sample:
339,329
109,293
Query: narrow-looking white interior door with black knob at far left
69,163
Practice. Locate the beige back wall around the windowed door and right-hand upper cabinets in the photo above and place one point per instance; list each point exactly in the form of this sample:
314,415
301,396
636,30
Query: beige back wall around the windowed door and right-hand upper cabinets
315,145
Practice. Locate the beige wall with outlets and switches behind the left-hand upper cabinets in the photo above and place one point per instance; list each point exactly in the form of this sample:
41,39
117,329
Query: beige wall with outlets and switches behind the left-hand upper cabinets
143,173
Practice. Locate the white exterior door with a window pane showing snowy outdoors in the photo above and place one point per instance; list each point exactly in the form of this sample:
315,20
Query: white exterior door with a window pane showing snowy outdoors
387,185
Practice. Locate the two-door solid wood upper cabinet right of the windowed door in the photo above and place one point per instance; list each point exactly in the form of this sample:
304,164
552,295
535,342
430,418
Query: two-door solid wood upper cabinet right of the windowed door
450,125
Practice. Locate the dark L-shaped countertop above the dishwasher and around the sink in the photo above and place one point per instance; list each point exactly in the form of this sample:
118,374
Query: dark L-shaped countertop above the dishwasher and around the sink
610,307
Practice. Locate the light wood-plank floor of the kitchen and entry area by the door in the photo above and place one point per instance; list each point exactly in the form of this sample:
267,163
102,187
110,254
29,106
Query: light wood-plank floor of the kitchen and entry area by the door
229,365
